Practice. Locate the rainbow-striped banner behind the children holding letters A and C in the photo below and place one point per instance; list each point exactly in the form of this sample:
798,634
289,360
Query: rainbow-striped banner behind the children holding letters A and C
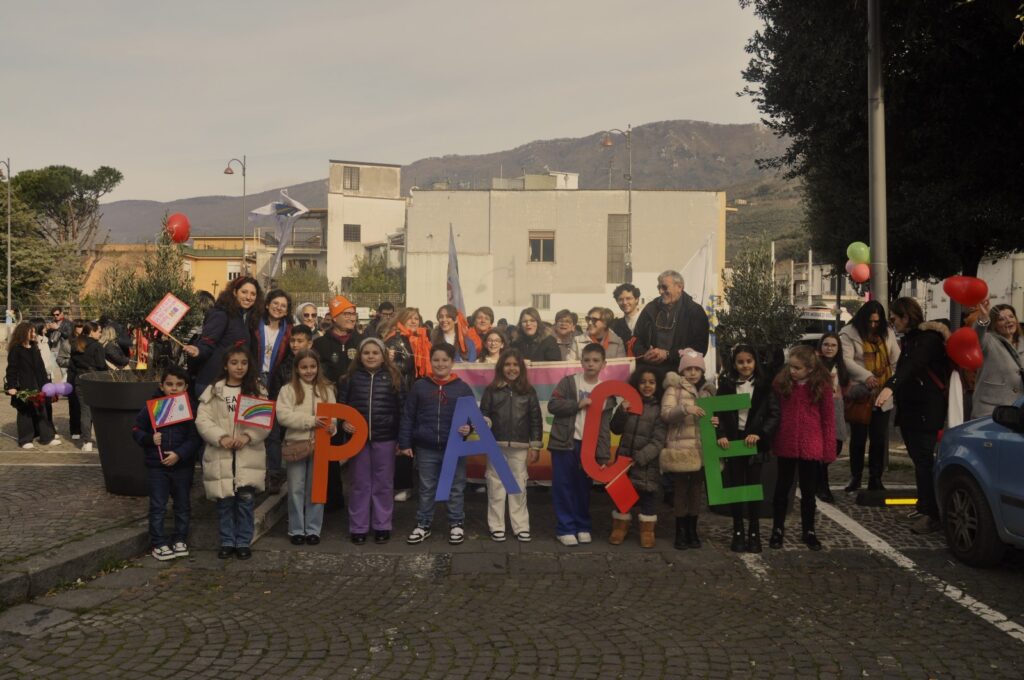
544,377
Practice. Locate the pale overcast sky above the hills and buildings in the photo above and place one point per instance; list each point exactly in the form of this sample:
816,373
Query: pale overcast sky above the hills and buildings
169,93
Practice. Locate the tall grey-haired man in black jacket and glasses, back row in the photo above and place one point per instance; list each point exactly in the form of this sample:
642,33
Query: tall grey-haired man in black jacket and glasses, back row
668,325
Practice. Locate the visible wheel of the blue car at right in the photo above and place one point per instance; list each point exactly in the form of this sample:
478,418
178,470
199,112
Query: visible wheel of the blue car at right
969,526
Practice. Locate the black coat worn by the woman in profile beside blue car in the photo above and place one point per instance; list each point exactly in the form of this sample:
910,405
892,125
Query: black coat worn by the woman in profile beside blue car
922,378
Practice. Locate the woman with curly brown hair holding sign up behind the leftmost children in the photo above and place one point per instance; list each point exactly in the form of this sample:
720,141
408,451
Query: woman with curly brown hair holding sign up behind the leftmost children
231,323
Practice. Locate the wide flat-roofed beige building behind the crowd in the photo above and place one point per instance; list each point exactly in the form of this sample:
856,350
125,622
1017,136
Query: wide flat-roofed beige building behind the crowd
556,248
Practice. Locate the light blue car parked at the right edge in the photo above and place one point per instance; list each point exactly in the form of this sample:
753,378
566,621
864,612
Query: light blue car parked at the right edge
979,481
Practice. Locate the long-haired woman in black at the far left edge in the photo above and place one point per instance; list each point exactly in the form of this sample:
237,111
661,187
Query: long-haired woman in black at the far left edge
26,371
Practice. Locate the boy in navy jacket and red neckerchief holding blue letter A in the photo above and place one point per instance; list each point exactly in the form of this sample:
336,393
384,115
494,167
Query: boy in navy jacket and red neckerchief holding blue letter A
426,420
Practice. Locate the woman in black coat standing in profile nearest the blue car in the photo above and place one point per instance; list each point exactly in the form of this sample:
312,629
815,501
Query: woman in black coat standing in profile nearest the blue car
920,387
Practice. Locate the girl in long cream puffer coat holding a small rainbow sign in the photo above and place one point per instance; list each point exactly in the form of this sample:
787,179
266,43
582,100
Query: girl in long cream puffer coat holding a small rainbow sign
235,462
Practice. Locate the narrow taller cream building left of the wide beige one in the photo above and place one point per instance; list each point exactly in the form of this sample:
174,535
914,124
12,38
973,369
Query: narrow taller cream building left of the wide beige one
366,215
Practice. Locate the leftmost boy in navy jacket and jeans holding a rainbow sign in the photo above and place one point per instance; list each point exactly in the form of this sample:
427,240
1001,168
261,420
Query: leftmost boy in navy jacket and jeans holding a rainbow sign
170,476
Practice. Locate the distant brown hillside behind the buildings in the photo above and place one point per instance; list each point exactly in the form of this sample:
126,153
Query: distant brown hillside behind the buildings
679,155
